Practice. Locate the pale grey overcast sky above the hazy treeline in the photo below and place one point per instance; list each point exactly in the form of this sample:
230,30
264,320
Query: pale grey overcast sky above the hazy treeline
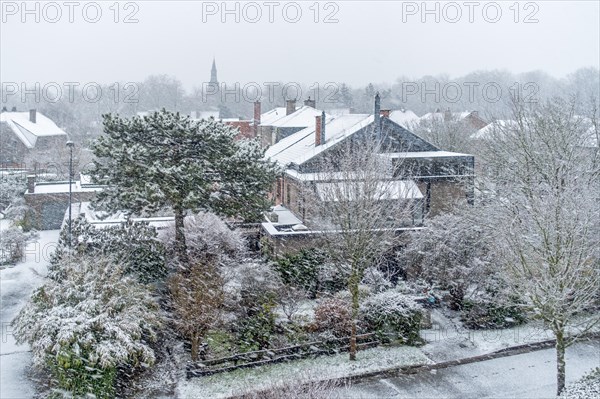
365,41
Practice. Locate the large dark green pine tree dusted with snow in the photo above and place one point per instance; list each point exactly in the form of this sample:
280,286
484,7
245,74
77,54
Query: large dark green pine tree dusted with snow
168,161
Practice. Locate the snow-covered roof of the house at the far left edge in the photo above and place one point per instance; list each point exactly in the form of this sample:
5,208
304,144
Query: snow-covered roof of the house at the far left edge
27,131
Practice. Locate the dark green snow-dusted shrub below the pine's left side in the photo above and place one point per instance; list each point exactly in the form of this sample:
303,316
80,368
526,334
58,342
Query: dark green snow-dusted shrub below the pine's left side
134,245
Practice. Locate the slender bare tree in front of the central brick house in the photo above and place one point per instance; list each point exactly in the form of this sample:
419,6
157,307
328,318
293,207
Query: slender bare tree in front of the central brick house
360,206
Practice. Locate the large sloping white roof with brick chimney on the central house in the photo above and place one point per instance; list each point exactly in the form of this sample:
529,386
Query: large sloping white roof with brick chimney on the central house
300,146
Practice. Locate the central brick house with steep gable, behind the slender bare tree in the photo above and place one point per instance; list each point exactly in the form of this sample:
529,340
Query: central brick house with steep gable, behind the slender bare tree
435,179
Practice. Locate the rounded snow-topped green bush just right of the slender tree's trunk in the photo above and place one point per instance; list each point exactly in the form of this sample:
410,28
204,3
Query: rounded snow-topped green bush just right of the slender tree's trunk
391,312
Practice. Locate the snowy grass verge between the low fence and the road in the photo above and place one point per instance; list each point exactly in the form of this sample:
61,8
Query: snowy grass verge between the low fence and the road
320,368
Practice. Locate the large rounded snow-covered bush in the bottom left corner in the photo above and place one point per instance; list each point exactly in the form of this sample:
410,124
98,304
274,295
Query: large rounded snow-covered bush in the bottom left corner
86,323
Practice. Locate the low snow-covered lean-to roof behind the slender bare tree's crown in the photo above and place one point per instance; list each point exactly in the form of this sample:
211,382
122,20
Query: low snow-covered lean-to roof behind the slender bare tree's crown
386,190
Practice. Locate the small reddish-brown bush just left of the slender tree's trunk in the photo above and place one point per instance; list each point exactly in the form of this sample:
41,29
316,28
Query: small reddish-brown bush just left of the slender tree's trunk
332,315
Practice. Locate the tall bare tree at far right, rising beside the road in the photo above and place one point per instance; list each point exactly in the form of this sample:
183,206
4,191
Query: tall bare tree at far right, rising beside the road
545,213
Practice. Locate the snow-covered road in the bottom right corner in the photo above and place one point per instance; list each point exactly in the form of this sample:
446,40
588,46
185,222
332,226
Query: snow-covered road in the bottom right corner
530,375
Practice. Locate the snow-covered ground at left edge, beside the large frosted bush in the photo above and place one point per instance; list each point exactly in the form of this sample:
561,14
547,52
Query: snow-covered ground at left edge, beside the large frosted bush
16,285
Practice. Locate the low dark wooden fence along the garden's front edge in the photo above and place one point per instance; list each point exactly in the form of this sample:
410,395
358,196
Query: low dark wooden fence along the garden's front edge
272,356
